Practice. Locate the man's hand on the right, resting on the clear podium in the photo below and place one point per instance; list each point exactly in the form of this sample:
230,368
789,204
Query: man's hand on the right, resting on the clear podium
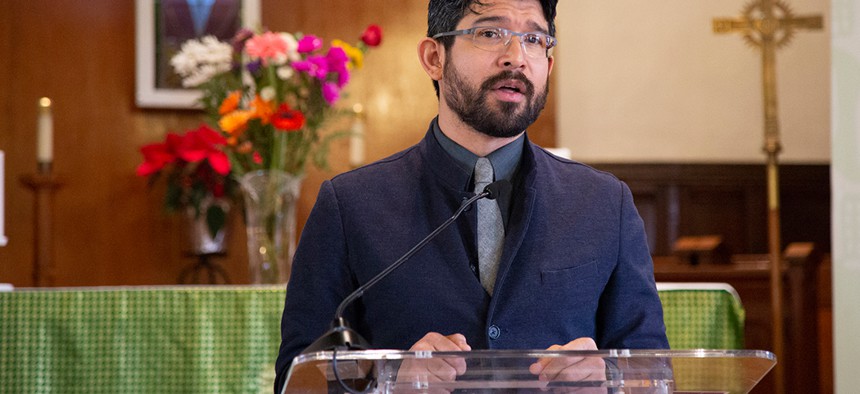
571,369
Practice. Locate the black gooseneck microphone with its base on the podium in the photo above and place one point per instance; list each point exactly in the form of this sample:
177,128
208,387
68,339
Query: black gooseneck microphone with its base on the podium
340,336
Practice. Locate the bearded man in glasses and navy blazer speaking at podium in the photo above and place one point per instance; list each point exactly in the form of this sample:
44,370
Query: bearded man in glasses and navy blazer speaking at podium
558,260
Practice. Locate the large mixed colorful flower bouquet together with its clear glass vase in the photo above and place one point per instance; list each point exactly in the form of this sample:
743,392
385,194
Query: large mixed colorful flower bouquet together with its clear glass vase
269,94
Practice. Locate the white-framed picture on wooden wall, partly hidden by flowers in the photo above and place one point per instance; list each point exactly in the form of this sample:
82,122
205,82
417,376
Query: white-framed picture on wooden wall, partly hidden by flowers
161,28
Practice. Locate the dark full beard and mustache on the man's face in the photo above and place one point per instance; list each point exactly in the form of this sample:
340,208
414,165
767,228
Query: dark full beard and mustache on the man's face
501,119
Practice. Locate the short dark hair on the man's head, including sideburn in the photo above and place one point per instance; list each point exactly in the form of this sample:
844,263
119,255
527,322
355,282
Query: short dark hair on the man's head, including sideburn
444,15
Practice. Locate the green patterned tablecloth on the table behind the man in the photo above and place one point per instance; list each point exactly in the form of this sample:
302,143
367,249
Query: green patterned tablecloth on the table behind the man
211,339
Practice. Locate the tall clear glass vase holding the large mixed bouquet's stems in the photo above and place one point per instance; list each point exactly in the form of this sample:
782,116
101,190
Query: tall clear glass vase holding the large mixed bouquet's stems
270,218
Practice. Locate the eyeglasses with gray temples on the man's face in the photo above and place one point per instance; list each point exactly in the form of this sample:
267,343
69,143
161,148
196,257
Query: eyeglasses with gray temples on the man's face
534,44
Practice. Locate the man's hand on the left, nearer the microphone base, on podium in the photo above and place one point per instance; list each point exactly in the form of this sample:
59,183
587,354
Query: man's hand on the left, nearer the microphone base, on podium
433,369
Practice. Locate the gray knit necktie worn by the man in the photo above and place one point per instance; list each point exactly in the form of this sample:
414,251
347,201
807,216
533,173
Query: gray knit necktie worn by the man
491,230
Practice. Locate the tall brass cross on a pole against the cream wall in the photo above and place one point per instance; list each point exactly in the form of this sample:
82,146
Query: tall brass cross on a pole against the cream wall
769,25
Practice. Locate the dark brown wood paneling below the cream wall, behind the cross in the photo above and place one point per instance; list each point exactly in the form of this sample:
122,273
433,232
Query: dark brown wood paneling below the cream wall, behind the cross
727,200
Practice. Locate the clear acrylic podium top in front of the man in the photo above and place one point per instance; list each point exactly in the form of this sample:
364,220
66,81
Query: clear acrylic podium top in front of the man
600,371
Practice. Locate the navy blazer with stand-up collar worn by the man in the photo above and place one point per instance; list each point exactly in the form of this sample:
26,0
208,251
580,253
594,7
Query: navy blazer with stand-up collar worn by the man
575,261
